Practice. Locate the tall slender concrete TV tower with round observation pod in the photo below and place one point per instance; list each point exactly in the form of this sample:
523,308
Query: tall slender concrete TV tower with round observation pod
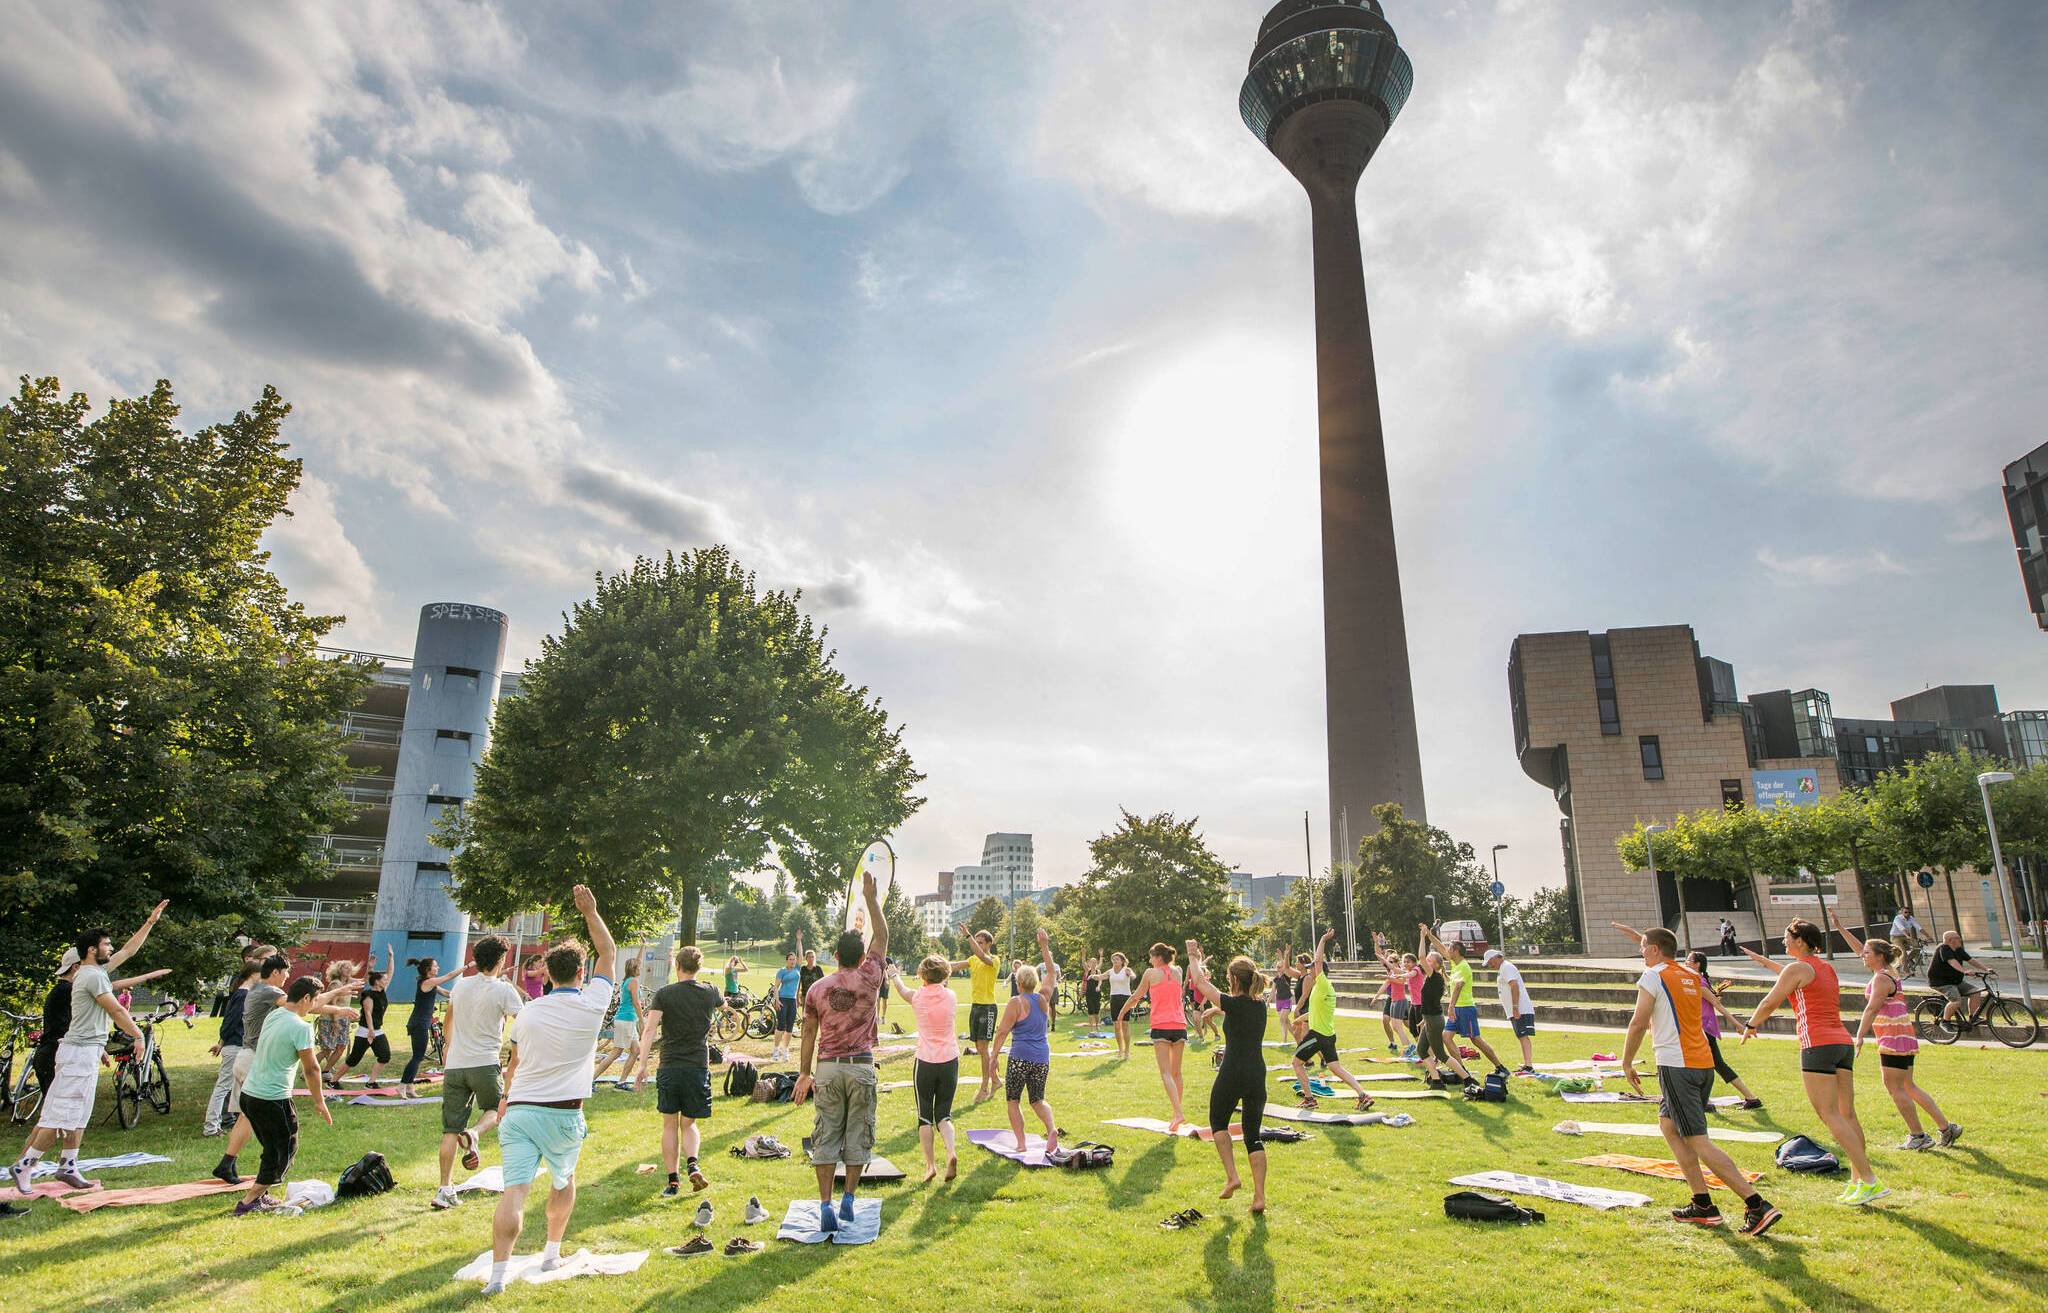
1324,85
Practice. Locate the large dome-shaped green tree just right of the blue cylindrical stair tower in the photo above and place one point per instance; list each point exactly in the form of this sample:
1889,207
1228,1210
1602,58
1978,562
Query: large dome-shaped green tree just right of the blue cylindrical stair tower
683,730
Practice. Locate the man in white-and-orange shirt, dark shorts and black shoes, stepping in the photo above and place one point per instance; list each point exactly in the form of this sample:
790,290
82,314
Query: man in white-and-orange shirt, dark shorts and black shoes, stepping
1670,1007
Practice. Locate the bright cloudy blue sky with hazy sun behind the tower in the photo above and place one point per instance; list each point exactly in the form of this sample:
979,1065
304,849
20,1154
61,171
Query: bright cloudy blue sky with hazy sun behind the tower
988,327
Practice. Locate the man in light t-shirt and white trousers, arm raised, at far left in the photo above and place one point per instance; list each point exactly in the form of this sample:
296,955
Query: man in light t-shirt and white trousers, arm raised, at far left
77,1066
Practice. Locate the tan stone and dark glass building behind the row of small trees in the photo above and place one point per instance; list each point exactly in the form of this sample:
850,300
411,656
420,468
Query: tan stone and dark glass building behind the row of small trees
1637,726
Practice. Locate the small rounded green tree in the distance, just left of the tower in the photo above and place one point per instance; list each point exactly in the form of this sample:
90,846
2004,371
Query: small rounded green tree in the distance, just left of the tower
1154,880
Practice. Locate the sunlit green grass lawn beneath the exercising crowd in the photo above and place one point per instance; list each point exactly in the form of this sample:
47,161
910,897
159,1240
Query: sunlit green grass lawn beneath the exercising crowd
1355,1216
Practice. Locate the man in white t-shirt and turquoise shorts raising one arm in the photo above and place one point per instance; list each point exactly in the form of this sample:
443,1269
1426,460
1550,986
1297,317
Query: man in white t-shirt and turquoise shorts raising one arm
548,1081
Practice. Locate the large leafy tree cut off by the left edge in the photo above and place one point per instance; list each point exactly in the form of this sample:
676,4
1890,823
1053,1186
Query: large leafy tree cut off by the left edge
167,730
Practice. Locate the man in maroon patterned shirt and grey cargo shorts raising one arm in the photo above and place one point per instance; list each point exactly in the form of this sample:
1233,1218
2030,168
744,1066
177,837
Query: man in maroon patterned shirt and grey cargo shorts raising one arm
839,1042
